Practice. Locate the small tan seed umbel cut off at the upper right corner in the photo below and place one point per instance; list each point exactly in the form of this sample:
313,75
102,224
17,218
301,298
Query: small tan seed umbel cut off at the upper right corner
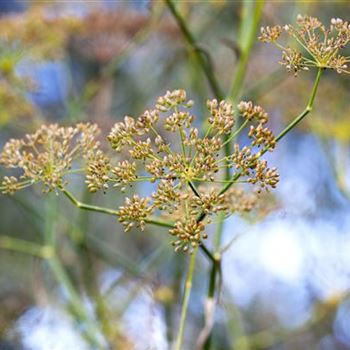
319,45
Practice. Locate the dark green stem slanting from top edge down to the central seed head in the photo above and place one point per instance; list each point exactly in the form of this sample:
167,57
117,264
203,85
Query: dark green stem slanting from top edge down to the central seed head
203,62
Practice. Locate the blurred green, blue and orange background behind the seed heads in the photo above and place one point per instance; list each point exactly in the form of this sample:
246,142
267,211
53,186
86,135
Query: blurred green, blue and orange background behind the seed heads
286,276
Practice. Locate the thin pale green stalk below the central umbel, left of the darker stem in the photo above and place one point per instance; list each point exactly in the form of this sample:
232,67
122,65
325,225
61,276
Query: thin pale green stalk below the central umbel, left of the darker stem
186,298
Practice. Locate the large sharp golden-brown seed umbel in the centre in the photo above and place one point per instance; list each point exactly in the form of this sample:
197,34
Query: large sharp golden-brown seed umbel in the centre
178,168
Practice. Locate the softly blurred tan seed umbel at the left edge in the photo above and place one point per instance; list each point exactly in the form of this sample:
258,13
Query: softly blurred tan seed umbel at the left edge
47,156
